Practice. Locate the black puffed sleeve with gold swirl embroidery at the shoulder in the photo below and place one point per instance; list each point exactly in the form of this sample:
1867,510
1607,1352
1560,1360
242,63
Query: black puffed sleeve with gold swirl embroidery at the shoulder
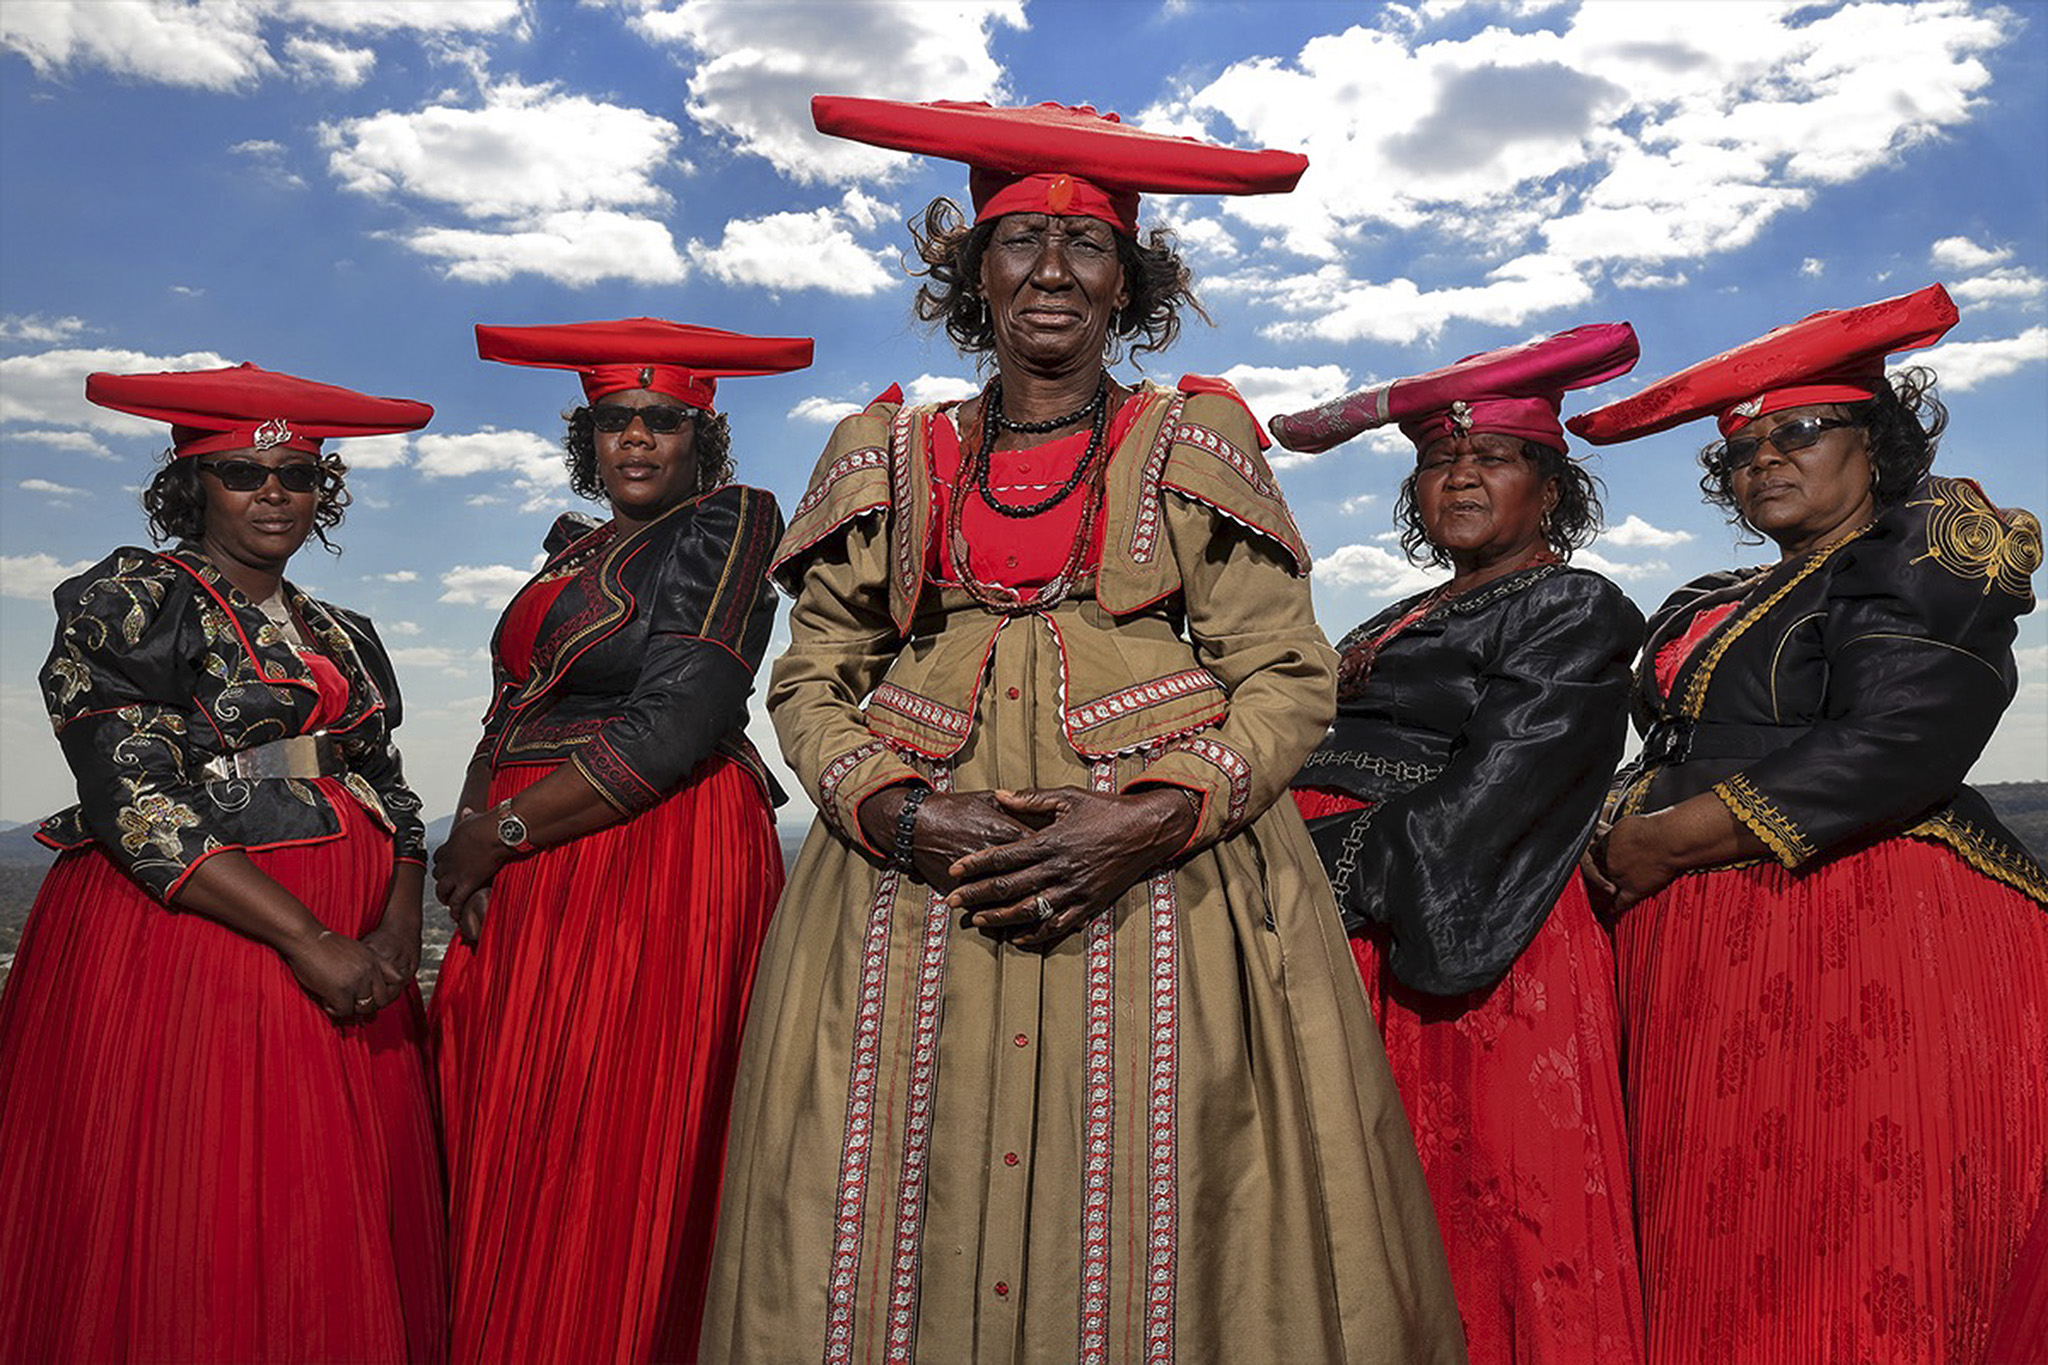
1918,640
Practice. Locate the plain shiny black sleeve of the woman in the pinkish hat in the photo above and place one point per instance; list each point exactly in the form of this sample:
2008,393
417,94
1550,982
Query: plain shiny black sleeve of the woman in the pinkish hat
1465,867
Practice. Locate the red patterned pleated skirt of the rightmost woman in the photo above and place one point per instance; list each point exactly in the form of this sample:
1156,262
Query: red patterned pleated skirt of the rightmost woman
1840,1110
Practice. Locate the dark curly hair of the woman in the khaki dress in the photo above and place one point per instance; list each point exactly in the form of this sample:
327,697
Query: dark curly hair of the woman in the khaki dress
951,249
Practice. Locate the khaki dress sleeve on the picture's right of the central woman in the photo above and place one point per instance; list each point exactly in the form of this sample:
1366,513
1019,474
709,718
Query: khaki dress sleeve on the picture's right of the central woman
1252,625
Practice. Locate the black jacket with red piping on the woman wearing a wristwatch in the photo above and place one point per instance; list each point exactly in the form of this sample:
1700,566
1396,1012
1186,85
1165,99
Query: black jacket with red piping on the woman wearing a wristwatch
644,660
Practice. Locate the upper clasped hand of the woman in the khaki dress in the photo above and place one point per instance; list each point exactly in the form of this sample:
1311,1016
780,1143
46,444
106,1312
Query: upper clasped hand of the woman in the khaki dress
1089,850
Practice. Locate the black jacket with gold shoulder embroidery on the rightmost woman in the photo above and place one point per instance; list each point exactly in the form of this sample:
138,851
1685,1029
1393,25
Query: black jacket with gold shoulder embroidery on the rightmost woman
1850,693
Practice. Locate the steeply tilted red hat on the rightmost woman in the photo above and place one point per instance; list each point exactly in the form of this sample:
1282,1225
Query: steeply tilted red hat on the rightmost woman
1834,357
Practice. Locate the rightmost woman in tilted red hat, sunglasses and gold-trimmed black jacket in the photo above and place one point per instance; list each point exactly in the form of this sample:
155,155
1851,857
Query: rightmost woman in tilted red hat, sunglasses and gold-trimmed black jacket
1834,959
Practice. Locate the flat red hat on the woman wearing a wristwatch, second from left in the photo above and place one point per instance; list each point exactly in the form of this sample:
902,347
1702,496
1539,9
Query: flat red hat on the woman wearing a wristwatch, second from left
646,353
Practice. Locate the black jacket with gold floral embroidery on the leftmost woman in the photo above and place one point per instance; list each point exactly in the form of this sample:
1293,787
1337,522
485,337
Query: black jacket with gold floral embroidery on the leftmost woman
161,666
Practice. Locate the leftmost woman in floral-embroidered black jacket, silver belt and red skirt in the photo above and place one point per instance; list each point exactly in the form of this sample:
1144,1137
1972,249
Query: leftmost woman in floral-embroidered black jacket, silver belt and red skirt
214,1102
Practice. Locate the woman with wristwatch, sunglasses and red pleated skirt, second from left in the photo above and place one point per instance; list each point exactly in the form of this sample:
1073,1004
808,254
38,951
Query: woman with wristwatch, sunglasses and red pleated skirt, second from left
613,869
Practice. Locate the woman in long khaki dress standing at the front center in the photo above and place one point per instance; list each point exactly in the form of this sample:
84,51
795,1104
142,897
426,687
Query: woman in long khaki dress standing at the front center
1056,1051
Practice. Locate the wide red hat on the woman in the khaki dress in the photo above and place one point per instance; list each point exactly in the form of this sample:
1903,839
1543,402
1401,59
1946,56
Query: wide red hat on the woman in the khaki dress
1056,159
